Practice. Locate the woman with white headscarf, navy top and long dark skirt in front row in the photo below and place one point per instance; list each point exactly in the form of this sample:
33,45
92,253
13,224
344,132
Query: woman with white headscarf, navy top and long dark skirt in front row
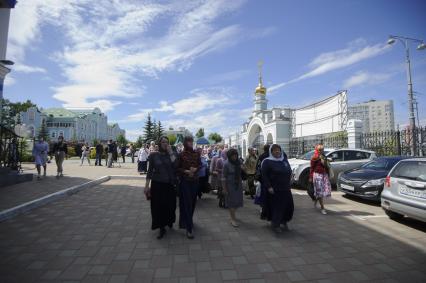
276,178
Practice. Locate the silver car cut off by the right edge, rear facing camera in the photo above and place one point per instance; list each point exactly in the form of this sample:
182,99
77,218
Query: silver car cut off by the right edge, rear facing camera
404,193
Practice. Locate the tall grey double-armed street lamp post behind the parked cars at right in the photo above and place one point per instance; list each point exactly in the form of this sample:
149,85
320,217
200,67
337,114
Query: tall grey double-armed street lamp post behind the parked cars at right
405,40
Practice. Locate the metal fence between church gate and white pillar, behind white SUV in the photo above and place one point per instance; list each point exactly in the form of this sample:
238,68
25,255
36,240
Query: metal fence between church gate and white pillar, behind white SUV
299,146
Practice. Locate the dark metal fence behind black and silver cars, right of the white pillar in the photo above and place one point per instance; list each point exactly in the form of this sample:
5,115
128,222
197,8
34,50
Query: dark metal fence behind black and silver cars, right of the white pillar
395,142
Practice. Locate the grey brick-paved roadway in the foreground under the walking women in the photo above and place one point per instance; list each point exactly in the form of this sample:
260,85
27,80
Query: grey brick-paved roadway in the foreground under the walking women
102,234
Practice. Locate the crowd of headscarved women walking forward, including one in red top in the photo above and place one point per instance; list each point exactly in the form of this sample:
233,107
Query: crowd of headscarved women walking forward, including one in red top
184,173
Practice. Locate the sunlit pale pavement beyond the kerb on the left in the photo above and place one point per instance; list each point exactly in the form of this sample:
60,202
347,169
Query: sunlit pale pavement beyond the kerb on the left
74,174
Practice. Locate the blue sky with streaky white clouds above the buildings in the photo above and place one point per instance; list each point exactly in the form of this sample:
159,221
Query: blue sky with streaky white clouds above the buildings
194,63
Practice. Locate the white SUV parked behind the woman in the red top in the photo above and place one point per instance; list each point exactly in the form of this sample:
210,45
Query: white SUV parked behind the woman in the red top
340,160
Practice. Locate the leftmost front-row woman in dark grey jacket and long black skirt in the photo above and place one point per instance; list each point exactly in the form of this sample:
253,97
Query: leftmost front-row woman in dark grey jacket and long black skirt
160,187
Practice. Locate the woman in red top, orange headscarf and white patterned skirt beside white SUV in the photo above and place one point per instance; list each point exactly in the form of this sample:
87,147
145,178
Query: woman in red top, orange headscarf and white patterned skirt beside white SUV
319,176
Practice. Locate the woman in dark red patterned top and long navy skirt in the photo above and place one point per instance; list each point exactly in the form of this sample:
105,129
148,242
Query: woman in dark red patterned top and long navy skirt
188,165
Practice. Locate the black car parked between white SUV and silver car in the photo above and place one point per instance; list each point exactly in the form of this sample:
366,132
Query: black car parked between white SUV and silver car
367,181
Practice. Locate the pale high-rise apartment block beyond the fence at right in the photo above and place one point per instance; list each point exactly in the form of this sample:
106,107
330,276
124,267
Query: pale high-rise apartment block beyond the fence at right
376,115
